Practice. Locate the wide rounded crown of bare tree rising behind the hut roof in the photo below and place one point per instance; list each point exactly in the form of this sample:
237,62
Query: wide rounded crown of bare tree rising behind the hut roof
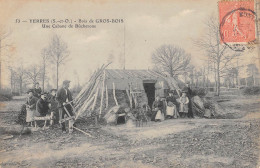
170,60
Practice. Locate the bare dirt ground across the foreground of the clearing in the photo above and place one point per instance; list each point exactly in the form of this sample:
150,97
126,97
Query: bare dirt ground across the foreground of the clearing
180,143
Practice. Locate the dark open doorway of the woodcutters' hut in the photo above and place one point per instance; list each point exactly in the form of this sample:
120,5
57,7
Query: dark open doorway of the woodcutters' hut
149,88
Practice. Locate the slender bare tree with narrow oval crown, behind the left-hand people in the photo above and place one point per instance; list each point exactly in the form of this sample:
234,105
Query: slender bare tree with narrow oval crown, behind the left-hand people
59,53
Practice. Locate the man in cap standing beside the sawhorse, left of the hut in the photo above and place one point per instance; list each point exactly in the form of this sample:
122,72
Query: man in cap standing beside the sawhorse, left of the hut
64,96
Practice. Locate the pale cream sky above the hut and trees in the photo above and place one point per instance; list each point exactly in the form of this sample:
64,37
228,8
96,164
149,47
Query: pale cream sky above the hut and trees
146,26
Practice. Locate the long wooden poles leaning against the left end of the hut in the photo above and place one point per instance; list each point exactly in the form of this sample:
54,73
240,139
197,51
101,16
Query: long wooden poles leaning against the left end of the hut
85,101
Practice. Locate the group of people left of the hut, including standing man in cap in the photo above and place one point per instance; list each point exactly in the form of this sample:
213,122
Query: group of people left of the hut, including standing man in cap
41,104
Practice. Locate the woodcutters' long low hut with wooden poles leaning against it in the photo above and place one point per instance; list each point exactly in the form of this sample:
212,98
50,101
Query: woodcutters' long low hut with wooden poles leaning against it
110,87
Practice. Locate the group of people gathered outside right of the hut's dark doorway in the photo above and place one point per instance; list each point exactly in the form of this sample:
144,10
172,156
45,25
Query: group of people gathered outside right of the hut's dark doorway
172,107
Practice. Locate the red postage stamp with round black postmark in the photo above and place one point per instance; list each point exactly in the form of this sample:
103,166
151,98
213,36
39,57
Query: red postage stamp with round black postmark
237,24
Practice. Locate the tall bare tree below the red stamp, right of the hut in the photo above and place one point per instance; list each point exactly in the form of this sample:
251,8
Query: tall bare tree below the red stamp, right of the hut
218,54
